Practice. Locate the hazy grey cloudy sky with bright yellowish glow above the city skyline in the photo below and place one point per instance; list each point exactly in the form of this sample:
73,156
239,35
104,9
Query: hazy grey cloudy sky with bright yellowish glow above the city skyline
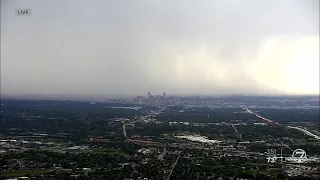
187,47
